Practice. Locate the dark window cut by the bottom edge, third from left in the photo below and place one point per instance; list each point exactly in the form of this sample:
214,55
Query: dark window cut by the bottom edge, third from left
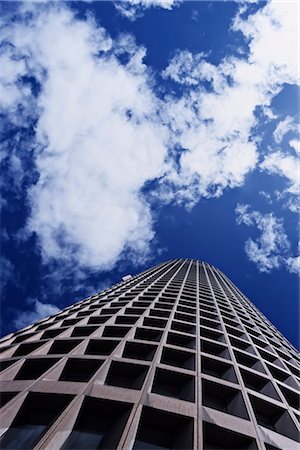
163,430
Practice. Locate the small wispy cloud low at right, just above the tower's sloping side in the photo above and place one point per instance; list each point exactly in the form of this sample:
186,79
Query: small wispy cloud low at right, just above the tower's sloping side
271,249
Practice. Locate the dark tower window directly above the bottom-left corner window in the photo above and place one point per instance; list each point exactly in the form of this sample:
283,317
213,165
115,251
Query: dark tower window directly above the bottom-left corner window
80,369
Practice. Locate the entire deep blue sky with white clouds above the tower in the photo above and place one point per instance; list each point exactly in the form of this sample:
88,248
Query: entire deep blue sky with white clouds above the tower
135,132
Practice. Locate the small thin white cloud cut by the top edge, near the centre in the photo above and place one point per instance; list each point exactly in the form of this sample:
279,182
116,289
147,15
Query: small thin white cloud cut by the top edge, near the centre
132,9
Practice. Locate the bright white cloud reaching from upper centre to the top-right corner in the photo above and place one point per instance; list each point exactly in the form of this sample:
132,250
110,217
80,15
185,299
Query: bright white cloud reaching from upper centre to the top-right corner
216,126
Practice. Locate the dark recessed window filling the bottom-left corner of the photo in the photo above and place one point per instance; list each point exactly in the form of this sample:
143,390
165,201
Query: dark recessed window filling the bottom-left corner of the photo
37,414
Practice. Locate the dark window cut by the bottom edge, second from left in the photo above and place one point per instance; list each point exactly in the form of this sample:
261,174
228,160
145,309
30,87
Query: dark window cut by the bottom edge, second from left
99,425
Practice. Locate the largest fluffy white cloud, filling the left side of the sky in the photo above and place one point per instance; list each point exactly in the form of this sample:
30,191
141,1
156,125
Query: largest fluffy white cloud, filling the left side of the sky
97,135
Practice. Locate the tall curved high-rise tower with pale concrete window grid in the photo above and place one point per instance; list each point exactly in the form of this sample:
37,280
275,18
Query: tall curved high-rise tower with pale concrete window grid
173,358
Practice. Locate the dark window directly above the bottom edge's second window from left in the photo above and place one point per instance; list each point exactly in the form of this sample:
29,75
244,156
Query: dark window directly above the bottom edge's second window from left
126,375
